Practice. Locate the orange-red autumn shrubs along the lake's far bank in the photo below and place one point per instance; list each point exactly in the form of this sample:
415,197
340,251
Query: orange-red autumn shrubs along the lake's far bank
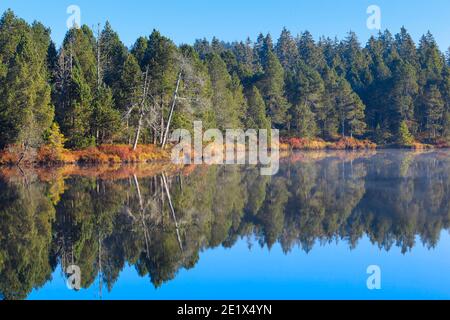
119,155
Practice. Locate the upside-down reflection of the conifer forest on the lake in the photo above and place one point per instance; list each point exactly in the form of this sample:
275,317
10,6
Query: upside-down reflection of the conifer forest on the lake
161,223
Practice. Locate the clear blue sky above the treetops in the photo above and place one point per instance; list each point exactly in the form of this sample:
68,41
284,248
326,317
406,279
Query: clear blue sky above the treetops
229,20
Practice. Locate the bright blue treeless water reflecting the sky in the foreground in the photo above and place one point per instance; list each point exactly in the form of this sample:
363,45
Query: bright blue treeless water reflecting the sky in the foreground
331,271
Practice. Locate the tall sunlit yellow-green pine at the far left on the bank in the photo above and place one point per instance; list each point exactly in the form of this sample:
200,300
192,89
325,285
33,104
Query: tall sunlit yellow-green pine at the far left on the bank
25,107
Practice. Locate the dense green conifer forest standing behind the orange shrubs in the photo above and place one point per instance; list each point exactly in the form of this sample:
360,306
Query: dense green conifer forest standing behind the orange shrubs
97,91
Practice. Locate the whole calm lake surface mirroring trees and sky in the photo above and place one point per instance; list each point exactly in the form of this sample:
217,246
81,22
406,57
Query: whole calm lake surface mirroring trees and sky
329,225
